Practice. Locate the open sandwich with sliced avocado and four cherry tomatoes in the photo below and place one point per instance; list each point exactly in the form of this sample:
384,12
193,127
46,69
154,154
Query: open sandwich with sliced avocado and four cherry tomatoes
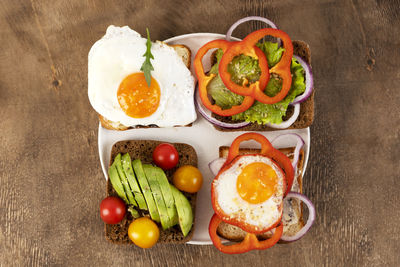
151,193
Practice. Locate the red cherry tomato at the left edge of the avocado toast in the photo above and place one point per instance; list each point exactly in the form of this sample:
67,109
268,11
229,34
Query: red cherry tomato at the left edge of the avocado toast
112,210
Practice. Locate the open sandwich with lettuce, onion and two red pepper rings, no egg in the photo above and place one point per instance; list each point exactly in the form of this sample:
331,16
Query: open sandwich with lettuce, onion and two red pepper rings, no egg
255,85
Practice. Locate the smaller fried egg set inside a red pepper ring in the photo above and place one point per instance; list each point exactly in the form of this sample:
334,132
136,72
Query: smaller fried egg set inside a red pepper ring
251,191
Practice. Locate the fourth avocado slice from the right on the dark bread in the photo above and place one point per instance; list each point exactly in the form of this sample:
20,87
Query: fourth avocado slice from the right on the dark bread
144,185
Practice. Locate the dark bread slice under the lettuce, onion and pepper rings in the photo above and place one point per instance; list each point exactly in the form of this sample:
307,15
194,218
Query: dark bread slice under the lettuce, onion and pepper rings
306,115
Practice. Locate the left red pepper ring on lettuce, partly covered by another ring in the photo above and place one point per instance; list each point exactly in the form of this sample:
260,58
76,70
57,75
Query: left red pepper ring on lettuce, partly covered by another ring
204,80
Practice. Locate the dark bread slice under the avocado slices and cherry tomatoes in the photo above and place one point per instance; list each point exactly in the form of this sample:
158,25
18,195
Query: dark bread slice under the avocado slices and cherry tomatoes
143,150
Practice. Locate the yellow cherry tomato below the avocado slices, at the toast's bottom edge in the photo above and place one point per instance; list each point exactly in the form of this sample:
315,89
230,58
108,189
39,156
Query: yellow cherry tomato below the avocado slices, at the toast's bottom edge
143,232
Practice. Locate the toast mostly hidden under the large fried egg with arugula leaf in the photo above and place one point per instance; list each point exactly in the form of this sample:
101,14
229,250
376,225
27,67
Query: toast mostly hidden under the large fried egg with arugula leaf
184,52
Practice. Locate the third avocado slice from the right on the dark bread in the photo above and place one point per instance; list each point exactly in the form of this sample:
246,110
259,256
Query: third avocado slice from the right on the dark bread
151,175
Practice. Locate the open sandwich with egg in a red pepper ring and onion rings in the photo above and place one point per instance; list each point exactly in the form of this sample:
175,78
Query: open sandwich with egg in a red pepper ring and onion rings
256,195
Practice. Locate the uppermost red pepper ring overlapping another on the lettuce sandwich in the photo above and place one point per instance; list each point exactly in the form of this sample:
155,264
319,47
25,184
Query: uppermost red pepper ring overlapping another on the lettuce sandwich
247,47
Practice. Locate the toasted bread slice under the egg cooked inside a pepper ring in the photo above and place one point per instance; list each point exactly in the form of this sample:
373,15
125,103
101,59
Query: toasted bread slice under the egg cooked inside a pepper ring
234,233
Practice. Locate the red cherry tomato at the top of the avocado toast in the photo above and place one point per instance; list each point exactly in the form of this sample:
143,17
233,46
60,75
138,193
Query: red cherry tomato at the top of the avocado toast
165,156
